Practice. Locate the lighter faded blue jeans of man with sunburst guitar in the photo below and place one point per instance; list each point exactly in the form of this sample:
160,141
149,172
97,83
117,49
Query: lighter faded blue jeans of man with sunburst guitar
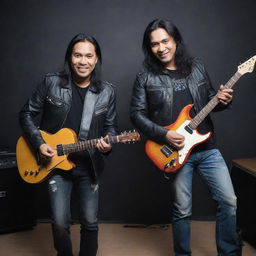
210,165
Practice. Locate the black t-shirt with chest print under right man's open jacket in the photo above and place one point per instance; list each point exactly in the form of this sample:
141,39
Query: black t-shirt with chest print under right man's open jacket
181,98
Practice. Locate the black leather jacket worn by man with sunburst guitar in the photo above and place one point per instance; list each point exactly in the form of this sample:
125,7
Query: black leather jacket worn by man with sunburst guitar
152,100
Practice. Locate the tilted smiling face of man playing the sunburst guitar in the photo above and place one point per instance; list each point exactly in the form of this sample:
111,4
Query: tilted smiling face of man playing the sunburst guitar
163,47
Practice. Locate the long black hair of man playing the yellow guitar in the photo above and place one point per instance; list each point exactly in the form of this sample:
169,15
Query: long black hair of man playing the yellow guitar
95,76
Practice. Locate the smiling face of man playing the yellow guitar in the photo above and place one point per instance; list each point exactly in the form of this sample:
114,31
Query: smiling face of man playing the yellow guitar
83,59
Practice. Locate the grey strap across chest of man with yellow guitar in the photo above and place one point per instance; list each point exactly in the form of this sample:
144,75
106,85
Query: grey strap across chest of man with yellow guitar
89,104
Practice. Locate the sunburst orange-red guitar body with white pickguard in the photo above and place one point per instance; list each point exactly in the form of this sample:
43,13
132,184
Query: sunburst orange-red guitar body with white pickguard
166,157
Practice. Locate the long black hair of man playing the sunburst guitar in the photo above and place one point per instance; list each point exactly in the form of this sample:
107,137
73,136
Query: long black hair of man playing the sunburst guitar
183,61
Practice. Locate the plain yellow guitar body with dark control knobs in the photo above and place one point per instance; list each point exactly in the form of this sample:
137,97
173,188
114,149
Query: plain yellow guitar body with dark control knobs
30,171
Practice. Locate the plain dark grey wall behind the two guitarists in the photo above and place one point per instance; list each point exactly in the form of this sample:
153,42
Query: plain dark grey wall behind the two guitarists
34,37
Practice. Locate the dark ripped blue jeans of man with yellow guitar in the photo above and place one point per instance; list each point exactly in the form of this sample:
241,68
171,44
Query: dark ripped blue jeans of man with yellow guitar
60,188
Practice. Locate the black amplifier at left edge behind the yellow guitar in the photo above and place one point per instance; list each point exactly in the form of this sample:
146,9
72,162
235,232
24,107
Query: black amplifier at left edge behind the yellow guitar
16,197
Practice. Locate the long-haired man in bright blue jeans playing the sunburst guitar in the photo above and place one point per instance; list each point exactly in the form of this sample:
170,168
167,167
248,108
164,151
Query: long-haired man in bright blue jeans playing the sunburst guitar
171,79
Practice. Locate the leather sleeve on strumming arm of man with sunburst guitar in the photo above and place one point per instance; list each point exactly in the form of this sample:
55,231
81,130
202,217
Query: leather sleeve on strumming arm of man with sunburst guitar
139,113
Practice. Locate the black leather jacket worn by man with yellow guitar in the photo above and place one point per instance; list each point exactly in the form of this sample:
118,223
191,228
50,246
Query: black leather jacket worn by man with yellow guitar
52,100
